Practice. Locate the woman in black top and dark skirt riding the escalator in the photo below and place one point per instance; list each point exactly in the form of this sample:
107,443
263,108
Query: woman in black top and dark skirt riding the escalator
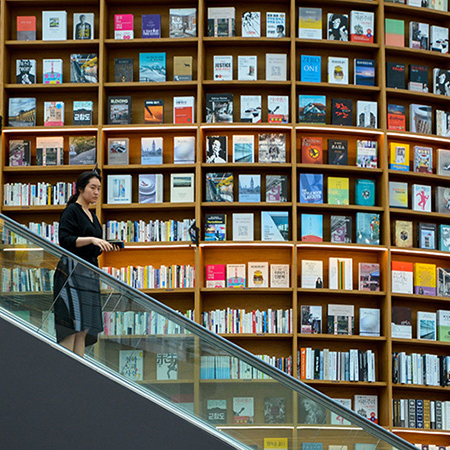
77,305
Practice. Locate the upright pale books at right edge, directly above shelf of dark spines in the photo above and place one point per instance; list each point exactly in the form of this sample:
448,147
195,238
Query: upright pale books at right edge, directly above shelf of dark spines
429,370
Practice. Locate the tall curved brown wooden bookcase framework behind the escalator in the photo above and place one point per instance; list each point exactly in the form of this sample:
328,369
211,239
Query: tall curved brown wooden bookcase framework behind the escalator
199,298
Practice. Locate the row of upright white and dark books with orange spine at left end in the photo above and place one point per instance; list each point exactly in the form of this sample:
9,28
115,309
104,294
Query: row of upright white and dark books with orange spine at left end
354,365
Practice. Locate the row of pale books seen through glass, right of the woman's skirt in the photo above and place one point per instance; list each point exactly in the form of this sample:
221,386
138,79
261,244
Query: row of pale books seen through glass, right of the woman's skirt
127,323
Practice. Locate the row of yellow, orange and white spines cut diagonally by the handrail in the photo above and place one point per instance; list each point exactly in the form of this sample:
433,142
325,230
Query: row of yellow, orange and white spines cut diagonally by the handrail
149,277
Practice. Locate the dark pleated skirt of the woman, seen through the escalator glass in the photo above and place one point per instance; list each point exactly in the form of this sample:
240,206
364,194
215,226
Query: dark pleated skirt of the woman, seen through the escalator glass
77,303
